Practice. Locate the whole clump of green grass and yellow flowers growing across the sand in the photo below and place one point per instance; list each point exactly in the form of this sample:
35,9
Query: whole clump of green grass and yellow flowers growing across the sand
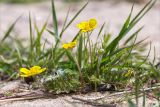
82,63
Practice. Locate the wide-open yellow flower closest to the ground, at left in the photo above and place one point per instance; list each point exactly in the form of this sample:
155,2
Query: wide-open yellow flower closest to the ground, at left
24,72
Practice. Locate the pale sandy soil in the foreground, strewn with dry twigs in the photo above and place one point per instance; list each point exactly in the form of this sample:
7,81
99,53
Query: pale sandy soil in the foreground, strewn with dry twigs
18,88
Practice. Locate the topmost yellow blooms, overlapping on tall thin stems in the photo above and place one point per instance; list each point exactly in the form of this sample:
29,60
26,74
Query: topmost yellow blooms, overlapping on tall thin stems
86,26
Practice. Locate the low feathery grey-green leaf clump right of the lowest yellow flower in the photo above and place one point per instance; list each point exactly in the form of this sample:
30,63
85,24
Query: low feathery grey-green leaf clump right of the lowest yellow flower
64,81
